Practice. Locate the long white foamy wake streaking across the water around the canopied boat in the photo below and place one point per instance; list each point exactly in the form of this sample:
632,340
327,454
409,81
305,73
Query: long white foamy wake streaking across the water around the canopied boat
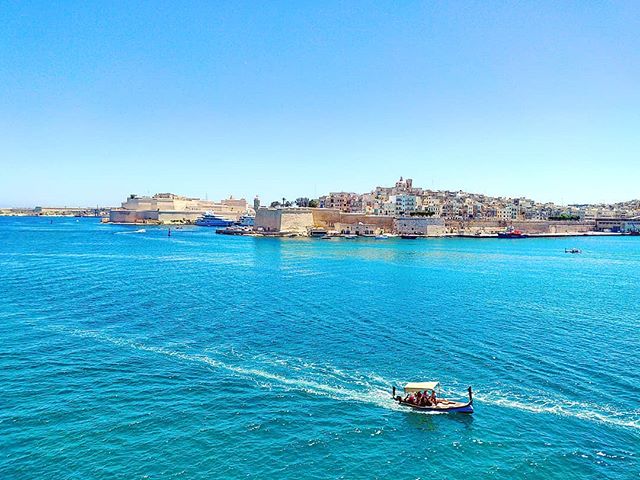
361,387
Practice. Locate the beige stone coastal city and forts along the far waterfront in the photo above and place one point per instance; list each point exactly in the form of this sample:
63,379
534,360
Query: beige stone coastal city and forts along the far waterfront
401,209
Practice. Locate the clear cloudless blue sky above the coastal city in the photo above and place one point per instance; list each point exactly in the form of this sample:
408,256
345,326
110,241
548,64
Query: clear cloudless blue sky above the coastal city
102,99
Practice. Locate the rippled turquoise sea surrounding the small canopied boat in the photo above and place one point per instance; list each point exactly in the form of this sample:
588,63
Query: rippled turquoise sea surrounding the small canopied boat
128,354
